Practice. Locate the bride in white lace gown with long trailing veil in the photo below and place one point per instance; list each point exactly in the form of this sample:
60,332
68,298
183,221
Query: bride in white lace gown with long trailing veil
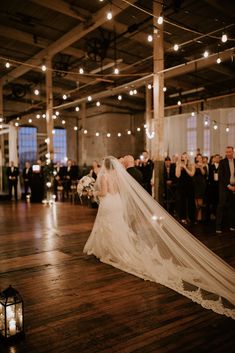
135,234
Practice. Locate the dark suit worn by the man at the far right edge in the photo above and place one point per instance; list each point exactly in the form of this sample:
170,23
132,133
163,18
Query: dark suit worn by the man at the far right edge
226,197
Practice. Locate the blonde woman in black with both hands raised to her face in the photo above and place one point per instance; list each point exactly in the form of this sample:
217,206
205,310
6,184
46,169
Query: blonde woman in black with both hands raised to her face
185,189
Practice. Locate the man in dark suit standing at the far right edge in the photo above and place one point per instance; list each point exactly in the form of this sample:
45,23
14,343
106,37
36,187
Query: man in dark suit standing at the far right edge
226,190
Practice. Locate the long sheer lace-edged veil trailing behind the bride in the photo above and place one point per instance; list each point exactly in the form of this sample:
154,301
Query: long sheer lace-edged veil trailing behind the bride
167,253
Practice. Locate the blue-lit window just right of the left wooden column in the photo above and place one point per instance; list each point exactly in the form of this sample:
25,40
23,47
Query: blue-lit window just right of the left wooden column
60,145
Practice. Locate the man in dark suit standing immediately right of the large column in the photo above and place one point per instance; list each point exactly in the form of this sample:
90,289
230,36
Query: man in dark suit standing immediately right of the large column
169,180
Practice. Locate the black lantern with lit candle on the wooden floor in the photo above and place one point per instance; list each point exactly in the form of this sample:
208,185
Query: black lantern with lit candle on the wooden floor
11,314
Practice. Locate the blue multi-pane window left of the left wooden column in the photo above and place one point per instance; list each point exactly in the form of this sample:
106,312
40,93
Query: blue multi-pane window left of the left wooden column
27,145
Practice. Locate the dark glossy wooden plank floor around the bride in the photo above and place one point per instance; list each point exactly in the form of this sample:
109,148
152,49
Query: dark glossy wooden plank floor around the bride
74,303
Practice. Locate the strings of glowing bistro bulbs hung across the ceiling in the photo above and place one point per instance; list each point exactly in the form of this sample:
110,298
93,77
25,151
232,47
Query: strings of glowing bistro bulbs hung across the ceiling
160,20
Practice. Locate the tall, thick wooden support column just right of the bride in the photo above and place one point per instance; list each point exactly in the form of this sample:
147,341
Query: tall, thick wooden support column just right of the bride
158,102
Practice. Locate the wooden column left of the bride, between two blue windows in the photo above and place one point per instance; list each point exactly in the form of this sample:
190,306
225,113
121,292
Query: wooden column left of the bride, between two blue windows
49,109
